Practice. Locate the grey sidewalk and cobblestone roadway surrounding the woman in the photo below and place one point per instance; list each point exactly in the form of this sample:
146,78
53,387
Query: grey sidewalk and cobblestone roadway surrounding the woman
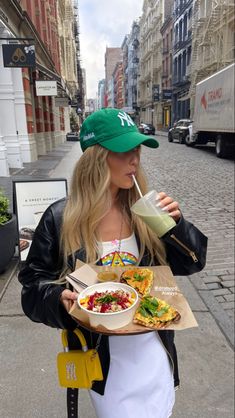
204,187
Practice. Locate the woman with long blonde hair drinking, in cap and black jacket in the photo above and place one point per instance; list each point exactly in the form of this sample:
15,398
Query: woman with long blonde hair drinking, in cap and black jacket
96,225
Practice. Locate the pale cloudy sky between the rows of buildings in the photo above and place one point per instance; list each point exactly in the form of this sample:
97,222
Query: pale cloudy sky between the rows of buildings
103,23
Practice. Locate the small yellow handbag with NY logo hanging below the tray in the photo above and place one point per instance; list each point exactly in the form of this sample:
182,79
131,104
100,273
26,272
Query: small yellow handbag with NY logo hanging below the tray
78,368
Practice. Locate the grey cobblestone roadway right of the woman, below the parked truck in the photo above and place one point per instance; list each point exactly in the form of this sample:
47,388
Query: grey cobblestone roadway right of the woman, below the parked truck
204,187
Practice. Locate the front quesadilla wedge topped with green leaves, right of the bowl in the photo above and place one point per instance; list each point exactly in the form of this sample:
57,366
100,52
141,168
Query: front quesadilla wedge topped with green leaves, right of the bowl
155,313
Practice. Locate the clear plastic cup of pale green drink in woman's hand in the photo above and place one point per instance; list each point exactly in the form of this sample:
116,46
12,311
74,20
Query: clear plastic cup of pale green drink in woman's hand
155,217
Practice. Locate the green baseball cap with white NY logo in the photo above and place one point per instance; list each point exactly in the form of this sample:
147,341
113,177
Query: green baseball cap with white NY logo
113,129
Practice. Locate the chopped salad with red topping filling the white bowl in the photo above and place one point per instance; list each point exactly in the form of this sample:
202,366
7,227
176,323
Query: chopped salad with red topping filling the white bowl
108,301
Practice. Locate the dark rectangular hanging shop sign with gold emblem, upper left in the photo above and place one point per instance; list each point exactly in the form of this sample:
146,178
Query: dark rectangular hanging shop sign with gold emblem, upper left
16,55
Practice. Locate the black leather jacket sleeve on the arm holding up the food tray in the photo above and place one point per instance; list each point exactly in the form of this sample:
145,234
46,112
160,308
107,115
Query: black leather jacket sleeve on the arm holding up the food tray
40,297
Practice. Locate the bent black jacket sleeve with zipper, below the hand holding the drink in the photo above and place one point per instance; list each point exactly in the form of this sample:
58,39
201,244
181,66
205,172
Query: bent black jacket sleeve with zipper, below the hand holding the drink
186,248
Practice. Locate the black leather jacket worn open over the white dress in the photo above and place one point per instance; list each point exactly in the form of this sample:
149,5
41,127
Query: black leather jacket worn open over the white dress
186,253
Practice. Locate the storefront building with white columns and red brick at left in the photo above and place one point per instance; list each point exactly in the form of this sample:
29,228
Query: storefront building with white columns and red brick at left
30,124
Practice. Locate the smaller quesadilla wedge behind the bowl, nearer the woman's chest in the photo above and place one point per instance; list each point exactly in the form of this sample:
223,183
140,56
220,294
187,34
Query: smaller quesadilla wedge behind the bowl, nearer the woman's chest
141,279
